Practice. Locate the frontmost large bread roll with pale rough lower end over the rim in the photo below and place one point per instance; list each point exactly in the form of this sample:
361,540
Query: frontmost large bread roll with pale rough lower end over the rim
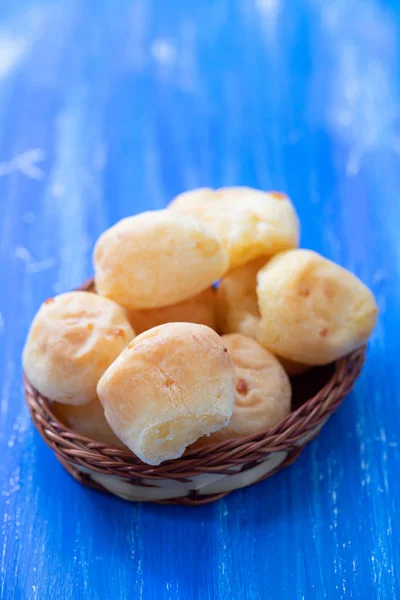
170,386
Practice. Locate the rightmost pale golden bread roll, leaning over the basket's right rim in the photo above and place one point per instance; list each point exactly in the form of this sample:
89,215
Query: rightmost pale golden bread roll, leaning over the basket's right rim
312,310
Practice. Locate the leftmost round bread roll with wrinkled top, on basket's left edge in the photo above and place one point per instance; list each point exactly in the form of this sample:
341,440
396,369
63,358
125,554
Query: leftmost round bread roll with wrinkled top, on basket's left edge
73,339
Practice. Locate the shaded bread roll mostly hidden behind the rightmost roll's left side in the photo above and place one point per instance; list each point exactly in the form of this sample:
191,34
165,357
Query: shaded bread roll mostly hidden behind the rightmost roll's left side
237,308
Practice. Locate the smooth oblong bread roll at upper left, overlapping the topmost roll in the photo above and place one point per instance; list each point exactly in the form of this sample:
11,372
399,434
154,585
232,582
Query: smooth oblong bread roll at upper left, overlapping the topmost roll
156,259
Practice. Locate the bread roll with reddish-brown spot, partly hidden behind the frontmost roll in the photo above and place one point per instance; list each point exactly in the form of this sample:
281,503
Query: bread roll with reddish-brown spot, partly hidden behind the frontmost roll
263,391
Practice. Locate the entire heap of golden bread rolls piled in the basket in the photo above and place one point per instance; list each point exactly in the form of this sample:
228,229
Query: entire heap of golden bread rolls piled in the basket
201,314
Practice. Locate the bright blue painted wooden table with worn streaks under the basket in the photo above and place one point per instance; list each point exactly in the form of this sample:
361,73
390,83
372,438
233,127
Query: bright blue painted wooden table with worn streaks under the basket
110,108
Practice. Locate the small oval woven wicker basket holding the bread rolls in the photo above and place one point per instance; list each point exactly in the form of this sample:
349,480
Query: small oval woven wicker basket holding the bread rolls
206,474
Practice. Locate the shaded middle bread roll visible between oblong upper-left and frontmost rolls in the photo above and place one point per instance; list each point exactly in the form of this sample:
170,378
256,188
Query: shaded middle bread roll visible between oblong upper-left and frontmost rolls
198,309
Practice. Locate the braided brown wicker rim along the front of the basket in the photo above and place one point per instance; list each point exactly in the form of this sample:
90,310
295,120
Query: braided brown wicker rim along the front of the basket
215,458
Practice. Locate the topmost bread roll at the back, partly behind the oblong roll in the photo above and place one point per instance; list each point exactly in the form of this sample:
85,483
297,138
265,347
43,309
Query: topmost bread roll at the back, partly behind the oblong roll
249,222
